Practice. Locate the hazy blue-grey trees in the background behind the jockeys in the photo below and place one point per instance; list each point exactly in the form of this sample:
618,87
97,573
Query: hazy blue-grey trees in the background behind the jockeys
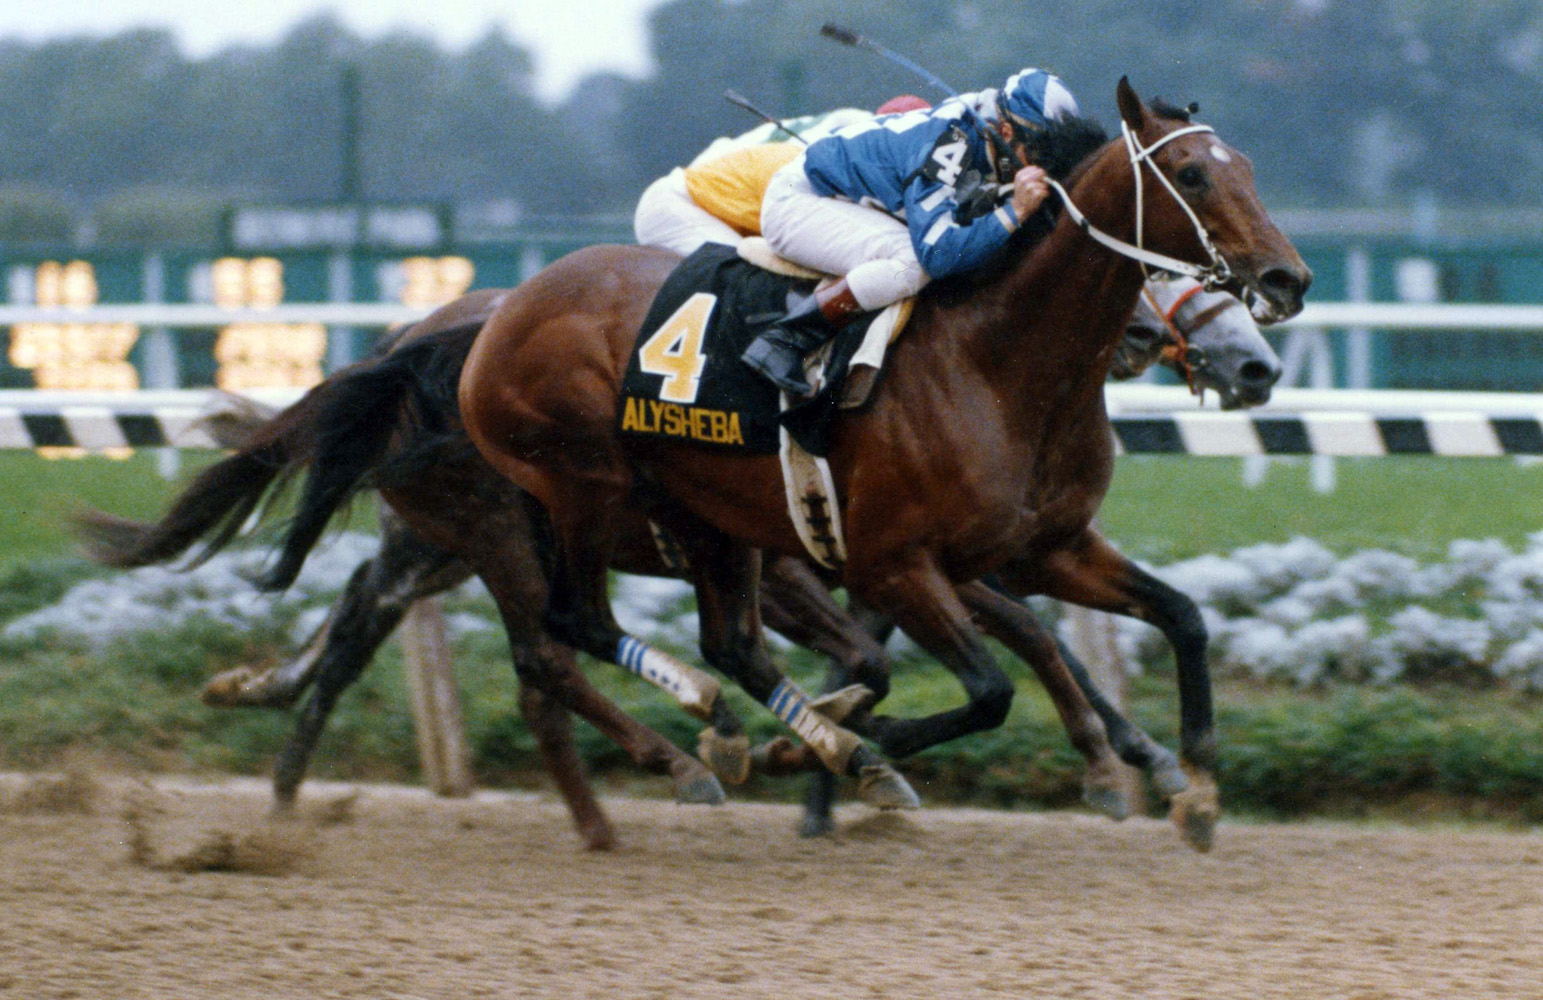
1340,103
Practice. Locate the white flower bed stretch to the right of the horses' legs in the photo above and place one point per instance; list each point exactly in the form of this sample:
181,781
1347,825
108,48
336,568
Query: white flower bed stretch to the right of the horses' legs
1300,613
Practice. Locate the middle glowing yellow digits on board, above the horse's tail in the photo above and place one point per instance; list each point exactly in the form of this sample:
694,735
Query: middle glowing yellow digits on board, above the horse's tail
263,356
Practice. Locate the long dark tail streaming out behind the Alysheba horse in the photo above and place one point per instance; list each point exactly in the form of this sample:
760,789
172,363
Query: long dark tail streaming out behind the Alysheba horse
339,434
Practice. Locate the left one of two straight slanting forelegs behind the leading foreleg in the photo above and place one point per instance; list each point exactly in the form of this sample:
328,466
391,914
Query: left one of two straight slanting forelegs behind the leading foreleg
1016,627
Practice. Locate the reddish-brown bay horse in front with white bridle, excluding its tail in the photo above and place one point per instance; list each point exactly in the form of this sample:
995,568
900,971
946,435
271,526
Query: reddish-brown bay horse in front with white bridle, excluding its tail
988,450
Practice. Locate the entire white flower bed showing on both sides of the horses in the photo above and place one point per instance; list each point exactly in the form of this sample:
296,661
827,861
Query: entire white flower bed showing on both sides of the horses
1291,612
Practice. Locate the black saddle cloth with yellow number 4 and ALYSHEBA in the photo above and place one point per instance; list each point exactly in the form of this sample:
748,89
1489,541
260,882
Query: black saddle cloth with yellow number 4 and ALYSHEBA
686,382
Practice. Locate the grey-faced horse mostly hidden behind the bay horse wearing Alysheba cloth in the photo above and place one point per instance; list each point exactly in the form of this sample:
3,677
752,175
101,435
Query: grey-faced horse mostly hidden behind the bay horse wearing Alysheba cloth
1206,336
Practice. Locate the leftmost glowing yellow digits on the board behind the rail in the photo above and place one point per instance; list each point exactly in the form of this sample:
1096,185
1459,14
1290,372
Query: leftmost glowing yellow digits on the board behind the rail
73,356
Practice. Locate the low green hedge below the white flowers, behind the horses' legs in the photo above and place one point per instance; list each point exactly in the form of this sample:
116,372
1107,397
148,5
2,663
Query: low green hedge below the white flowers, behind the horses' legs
1352,752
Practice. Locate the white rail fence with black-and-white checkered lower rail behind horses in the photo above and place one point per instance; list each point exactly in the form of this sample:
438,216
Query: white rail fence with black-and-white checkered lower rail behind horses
1320,422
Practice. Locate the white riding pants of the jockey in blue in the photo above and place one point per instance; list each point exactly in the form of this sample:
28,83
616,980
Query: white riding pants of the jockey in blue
837,237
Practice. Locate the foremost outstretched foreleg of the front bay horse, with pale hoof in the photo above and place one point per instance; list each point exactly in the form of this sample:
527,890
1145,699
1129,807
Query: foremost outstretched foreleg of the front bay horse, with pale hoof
1092,573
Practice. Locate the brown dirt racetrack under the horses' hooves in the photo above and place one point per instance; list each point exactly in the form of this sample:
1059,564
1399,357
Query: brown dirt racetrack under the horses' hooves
394,894
